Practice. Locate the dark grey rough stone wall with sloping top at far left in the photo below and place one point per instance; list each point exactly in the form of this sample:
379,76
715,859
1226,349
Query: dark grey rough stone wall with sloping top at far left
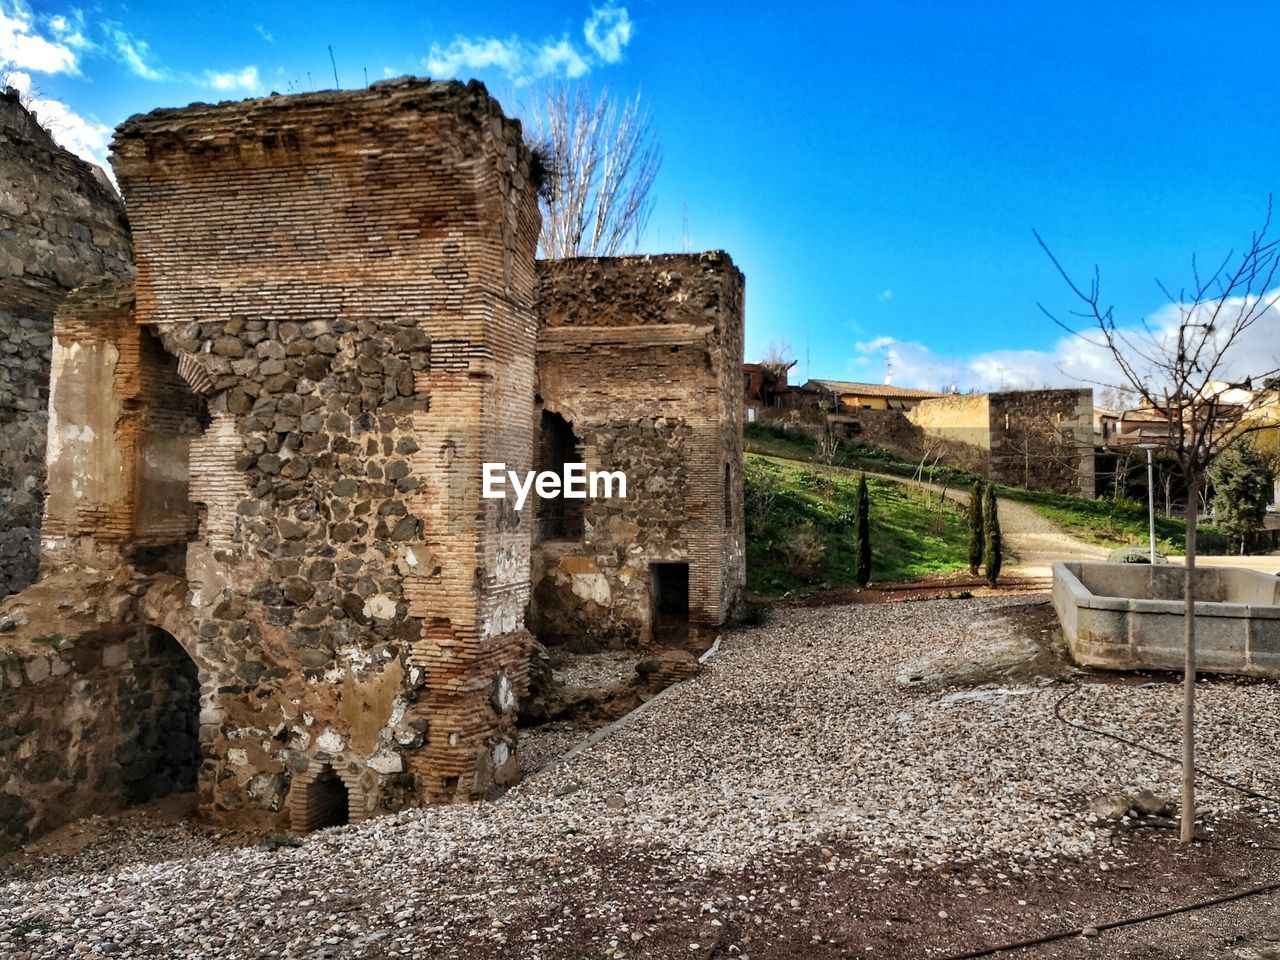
61,226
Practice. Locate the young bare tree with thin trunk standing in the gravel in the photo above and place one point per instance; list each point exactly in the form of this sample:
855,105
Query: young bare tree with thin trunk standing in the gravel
1177,372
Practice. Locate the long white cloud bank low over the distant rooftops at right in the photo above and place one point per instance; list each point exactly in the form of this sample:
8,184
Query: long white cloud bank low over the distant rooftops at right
1072,362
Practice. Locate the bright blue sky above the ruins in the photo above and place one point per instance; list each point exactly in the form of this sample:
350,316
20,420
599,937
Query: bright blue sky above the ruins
876,171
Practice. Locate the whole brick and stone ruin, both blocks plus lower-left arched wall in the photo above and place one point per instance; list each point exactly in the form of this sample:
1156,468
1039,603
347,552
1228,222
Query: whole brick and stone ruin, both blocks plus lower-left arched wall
267,566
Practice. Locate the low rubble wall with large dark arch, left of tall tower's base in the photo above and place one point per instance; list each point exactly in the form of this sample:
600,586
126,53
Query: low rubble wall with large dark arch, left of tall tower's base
92,720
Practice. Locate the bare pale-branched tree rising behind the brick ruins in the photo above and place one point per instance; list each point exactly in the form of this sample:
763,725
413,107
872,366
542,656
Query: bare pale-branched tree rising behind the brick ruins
602,163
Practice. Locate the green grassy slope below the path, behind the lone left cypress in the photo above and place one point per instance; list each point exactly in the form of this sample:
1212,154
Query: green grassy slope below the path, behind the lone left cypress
801,529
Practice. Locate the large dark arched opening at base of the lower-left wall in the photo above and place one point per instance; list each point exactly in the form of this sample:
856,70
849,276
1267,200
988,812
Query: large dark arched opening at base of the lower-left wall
162,708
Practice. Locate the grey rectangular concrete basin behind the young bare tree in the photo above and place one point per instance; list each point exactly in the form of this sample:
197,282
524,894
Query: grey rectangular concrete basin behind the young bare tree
1130,616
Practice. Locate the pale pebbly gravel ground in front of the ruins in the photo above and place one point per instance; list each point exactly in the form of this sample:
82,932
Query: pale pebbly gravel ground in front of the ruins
839,749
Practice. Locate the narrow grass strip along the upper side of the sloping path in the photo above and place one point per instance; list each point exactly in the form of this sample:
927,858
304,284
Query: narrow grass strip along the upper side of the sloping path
1108,522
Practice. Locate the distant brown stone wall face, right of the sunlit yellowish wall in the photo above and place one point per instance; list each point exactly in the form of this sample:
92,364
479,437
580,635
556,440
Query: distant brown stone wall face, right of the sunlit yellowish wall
1044,441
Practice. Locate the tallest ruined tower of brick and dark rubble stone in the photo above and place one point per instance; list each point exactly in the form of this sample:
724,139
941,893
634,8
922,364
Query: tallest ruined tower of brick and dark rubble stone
348,281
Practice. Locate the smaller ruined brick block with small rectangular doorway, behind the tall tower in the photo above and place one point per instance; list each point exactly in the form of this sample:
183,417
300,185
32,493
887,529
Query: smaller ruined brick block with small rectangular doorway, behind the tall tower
642,356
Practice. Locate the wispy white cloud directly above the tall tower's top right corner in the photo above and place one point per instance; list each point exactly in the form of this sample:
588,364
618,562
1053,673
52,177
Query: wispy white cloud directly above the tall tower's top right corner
607,31
